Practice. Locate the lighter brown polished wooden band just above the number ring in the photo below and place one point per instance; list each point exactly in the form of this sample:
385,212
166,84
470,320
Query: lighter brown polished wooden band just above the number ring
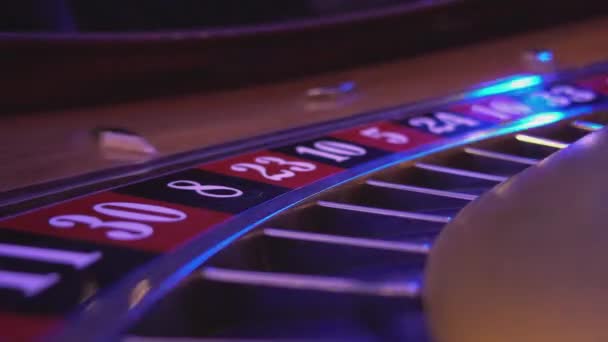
40,147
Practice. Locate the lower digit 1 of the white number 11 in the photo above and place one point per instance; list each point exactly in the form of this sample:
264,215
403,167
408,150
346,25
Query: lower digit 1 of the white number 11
30,284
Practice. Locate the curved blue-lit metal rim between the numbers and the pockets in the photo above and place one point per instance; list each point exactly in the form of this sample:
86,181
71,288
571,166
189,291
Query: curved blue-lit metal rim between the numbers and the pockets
108,316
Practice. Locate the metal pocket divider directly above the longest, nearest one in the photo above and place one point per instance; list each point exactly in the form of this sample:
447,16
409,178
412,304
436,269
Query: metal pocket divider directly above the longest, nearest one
406,247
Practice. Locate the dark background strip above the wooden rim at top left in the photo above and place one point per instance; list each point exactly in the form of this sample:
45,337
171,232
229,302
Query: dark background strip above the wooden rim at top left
156,15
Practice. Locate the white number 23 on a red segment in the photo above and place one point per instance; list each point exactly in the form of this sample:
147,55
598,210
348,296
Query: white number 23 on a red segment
290,170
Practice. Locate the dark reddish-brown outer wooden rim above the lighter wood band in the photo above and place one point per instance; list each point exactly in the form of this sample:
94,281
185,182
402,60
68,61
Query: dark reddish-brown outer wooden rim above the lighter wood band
46,69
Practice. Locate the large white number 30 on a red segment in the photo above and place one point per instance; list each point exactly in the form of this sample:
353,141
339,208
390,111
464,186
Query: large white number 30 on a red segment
122,230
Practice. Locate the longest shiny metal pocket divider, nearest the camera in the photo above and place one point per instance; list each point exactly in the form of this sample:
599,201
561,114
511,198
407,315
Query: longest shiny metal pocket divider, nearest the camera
310,282
